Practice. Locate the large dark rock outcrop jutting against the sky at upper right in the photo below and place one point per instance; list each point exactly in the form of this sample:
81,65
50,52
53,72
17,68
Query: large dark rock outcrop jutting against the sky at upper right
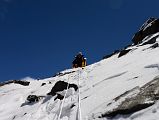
151,27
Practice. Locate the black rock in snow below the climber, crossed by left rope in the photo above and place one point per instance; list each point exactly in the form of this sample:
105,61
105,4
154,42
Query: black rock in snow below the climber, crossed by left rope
60,86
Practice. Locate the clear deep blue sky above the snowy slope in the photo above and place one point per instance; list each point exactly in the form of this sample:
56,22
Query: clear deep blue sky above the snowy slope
40,37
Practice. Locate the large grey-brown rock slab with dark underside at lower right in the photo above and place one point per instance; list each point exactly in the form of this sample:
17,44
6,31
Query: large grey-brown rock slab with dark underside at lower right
146,97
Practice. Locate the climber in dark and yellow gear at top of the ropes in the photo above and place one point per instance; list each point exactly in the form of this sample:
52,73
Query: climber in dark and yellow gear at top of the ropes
79,61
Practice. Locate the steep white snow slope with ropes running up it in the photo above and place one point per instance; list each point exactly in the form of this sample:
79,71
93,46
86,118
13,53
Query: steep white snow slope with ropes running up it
98,84
